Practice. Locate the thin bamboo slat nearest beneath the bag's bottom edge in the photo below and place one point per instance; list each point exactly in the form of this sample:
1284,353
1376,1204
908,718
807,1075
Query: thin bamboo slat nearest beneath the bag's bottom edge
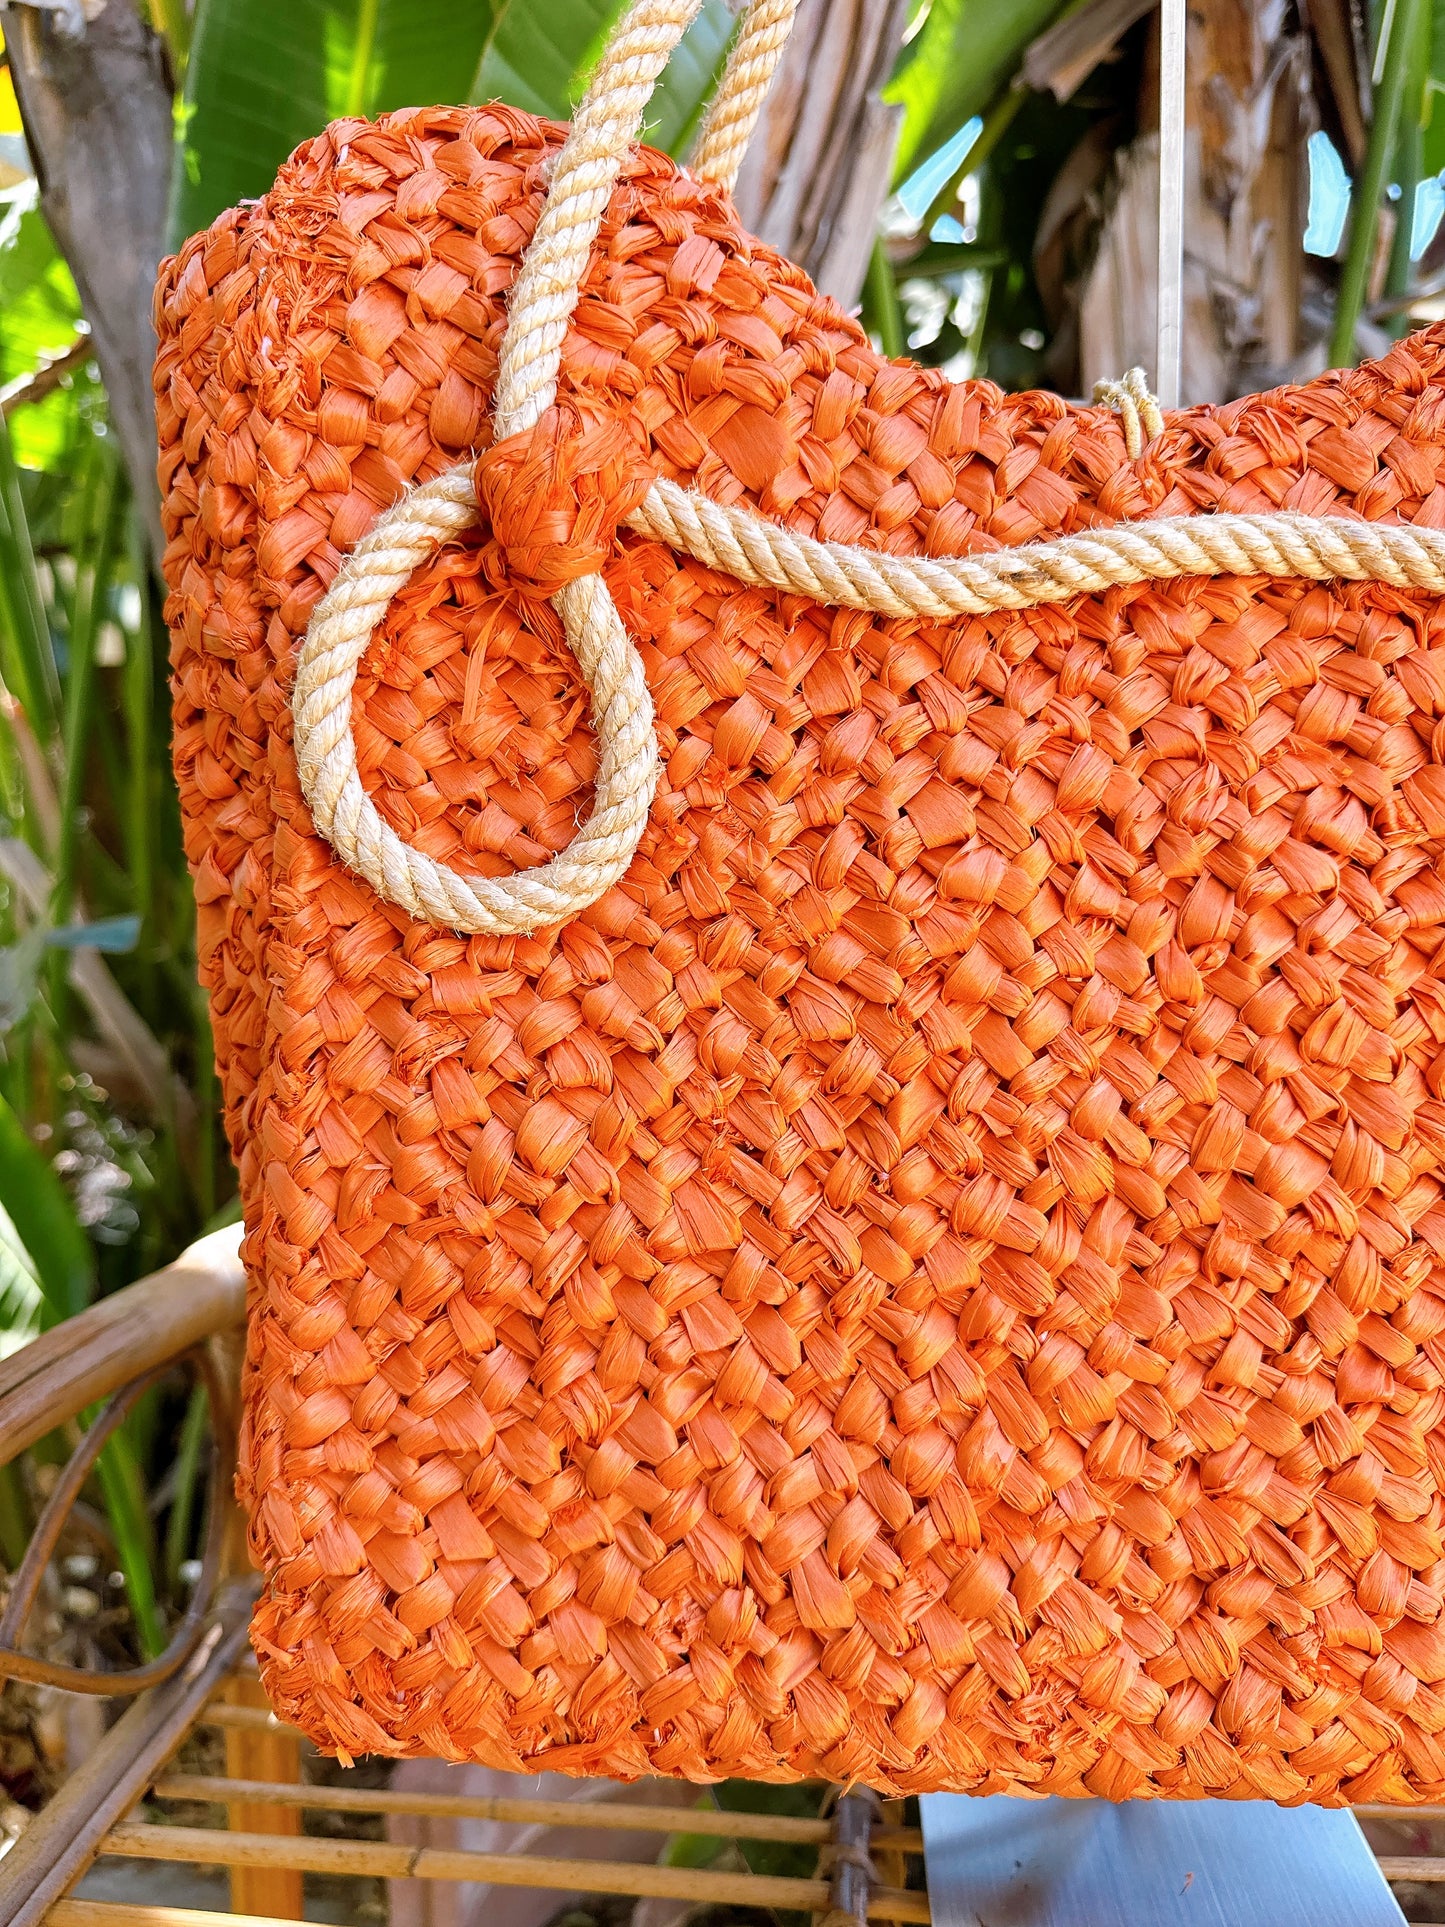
608,1816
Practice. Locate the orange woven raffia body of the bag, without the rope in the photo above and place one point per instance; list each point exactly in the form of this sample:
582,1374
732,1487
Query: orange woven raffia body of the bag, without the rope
933,1280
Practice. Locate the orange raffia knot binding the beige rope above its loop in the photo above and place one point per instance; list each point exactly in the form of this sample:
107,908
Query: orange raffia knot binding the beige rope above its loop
556,494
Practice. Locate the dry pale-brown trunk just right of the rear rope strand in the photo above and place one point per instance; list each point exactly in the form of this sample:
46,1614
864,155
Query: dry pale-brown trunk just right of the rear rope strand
822,159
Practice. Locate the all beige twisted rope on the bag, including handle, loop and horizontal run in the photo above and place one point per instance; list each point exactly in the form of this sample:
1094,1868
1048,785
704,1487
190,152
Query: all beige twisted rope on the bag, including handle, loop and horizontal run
735,541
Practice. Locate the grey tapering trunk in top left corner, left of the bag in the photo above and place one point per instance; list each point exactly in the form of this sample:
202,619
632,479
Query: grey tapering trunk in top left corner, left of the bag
97,109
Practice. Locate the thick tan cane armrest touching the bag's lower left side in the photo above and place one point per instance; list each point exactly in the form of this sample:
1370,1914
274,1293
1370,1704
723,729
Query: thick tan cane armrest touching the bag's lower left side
132,1333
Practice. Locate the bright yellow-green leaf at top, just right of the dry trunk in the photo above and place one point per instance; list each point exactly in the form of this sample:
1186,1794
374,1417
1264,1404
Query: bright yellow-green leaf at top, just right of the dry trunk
957,66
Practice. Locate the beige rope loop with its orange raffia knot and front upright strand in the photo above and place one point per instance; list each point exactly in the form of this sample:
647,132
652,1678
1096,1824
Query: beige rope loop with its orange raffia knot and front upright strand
554,546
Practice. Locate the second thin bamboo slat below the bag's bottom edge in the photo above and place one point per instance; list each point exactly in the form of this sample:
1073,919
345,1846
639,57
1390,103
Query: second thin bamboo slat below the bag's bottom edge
213,1847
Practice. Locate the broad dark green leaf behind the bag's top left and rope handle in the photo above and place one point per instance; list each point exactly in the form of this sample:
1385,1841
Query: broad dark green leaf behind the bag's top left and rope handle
265,76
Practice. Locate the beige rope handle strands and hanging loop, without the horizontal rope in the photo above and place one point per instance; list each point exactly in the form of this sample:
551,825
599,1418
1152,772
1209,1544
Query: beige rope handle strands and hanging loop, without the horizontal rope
344,621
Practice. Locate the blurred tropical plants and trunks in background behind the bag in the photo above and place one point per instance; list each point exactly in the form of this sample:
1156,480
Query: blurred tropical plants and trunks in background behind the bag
980,174
